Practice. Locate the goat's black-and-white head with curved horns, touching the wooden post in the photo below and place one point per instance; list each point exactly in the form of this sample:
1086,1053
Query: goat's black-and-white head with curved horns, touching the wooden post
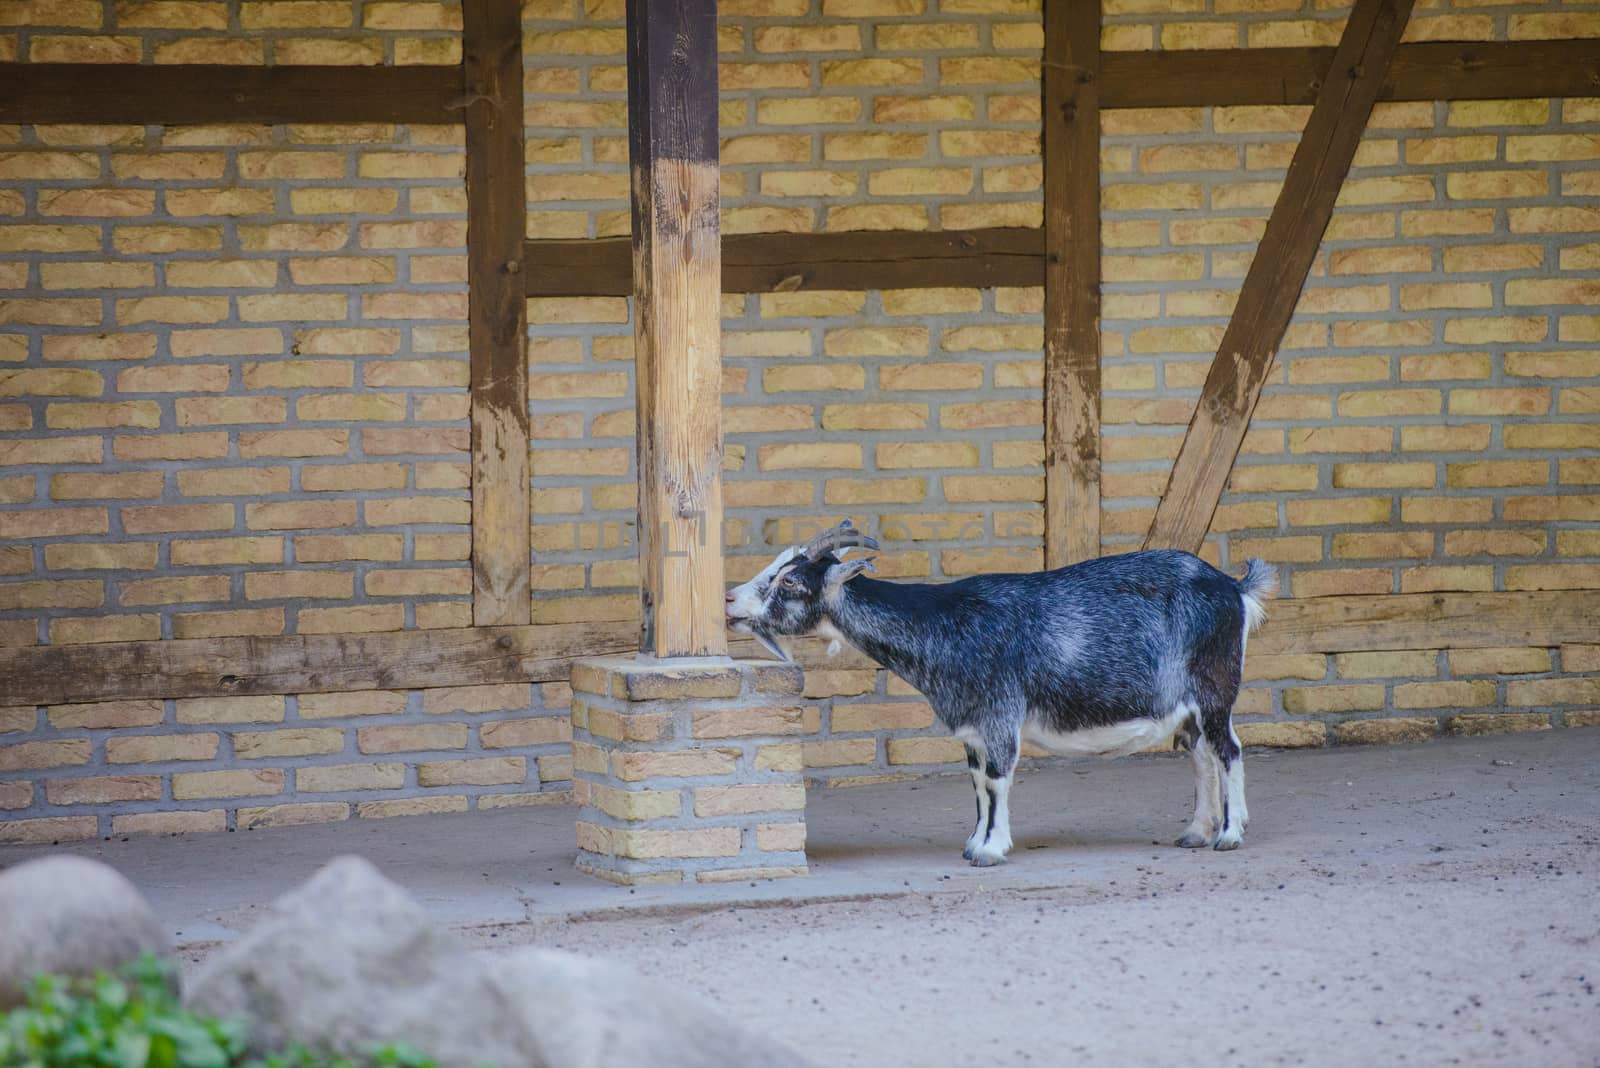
790,597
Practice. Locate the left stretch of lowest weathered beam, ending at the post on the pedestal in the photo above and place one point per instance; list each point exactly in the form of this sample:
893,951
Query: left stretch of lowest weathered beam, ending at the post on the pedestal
303,664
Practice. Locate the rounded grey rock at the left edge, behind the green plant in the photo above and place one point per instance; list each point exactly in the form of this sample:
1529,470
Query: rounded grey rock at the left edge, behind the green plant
74,917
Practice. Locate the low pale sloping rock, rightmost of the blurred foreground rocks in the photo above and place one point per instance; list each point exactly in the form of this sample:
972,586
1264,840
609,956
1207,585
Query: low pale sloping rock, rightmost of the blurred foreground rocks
596,1014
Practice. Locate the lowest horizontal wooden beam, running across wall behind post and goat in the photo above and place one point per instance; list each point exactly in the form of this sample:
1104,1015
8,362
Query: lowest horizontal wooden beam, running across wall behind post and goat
543,653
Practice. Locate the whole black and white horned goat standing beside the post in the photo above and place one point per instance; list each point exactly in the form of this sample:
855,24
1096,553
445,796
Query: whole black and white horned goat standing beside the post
1110,656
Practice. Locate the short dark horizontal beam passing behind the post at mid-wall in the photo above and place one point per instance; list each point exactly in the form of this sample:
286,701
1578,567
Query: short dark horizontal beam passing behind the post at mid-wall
762,263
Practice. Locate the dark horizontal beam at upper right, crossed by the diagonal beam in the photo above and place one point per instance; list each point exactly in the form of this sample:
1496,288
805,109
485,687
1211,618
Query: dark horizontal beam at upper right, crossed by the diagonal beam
1434,71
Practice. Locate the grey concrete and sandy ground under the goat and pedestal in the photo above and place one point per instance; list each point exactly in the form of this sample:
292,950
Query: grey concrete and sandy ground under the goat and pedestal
1430,904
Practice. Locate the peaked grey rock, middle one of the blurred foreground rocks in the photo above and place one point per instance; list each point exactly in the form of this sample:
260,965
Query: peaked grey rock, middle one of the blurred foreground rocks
350,962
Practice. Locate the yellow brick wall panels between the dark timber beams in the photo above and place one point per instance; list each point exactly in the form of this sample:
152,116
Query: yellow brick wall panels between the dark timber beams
233,378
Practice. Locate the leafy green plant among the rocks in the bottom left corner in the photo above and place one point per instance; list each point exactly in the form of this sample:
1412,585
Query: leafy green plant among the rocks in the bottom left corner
135,1021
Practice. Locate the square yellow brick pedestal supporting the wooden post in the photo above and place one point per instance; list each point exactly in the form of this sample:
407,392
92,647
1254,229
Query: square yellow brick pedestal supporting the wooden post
689,770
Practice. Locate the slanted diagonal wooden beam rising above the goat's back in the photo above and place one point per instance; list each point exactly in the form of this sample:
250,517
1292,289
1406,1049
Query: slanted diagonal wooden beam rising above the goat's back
1278,274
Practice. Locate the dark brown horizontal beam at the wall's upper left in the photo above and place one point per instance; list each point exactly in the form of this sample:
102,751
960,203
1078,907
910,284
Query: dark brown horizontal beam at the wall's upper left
217,94
